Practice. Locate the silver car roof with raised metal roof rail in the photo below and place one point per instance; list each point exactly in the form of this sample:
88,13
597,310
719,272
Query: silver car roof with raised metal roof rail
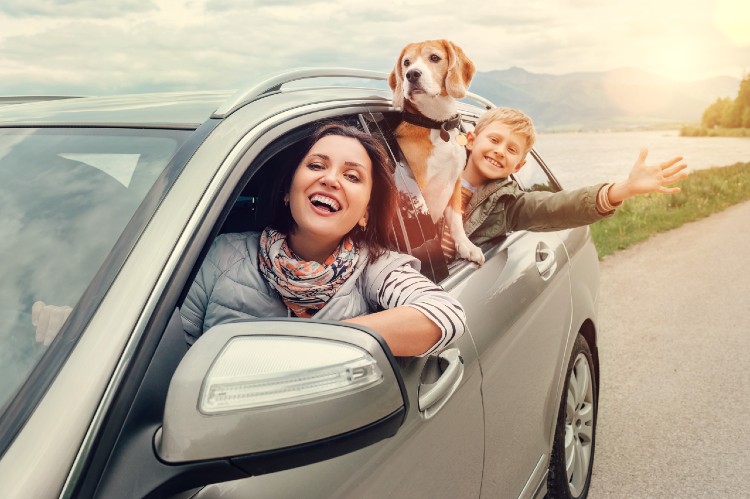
190,109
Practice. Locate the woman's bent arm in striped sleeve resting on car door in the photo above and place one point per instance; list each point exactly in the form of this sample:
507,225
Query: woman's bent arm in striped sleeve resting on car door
419,317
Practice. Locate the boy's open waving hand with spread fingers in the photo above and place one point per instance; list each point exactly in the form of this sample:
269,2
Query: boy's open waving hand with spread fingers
644,178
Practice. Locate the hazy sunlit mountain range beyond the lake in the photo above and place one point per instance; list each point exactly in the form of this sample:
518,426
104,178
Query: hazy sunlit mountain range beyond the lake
621,98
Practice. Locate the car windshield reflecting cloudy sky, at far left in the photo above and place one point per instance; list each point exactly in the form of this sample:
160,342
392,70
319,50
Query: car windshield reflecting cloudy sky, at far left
65,197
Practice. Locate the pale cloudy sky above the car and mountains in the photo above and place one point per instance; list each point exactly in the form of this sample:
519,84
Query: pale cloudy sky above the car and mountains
103,47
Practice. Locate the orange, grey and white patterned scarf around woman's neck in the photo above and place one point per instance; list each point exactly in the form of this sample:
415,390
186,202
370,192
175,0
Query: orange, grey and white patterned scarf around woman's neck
304,286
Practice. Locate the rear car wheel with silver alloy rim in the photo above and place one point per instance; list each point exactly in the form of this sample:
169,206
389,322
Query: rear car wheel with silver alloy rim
573,448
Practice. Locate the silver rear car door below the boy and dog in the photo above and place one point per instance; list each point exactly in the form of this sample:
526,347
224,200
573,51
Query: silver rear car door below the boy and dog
525,283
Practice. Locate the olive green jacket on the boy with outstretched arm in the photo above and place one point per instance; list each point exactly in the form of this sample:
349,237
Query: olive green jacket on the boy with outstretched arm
501,206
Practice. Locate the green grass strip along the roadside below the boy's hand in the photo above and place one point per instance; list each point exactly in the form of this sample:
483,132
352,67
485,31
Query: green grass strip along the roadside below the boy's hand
704,192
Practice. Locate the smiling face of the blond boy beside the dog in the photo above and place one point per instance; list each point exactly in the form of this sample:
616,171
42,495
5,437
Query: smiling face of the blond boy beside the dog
495,152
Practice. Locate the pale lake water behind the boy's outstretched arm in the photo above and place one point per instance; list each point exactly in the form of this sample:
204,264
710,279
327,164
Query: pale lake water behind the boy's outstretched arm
580,159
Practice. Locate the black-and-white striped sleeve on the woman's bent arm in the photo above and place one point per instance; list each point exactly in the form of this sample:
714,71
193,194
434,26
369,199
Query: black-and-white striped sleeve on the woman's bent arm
405,286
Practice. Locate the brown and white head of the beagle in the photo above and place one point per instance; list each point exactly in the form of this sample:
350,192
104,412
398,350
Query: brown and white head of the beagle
429,69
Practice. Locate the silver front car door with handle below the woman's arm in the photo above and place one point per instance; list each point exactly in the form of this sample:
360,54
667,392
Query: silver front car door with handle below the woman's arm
438,451
